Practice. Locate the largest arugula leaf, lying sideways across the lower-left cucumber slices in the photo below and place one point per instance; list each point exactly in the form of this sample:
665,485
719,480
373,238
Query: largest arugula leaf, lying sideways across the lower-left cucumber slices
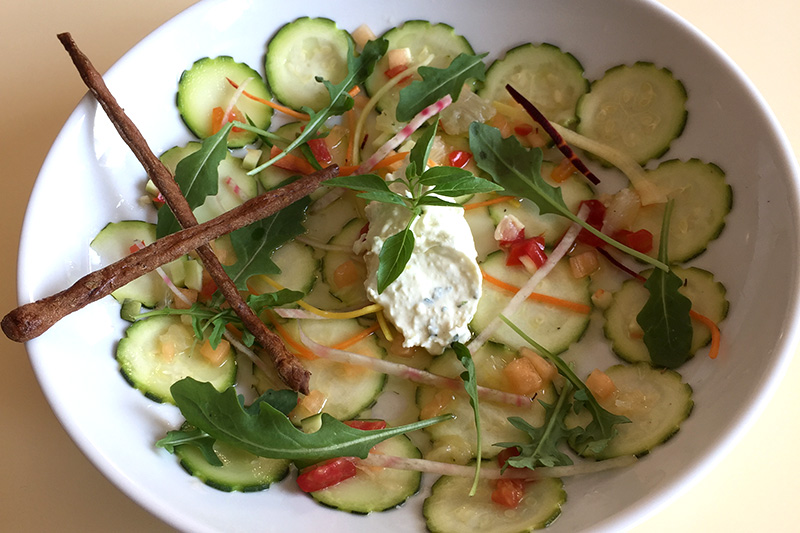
264,431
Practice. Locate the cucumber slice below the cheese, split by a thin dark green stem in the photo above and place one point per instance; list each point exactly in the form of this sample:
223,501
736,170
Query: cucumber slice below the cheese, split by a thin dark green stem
455,440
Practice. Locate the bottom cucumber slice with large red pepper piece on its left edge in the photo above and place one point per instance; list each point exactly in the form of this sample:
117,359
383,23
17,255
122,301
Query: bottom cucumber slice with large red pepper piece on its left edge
375,490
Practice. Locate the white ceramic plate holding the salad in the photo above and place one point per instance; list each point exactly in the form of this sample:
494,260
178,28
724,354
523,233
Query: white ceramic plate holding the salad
90,178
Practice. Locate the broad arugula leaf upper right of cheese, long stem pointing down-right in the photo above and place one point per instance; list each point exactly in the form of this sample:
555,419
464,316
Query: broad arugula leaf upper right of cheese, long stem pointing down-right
518,170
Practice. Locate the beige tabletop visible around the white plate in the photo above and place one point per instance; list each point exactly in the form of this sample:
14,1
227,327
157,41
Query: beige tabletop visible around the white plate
46,484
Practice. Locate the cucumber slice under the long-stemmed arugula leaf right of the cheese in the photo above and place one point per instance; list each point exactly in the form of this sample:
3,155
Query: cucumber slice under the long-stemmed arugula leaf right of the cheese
552,226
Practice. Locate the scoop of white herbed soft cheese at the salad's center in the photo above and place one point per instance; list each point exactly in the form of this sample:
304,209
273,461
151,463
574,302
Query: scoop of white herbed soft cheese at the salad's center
436,296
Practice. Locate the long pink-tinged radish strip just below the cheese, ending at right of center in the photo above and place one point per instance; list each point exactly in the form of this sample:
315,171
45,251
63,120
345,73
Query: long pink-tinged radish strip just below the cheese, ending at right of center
410,373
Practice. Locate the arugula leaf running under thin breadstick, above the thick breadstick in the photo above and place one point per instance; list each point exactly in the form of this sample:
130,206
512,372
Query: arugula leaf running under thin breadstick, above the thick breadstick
197,177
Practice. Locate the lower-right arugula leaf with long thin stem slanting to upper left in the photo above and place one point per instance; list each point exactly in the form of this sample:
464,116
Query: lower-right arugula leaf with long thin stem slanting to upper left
600,430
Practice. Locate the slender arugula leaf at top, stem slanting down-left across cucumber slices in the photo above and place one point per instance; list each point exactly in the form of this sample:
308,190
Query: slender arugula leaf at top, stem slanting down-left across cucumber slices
358,70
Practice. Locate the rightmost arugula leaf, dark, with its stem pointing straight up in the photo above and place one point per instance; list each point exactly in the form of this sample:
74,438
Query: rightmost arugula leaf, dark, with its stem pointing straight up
665,316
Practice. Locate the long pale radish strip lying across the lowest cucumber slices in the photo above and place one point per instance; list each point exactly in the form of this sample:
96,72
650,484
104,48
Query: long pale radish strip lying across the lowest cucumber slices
494,472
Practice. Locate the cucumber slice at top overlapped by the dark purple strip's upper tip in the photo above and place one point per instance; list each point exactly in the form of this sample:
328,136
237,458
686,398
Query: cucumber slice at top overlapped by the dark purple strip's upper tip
551,79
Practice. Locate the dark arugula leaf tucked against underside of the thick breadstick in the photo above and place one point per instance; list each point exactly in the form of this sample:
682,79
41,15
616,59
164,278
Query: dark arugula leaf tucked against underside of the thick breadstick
255,244
